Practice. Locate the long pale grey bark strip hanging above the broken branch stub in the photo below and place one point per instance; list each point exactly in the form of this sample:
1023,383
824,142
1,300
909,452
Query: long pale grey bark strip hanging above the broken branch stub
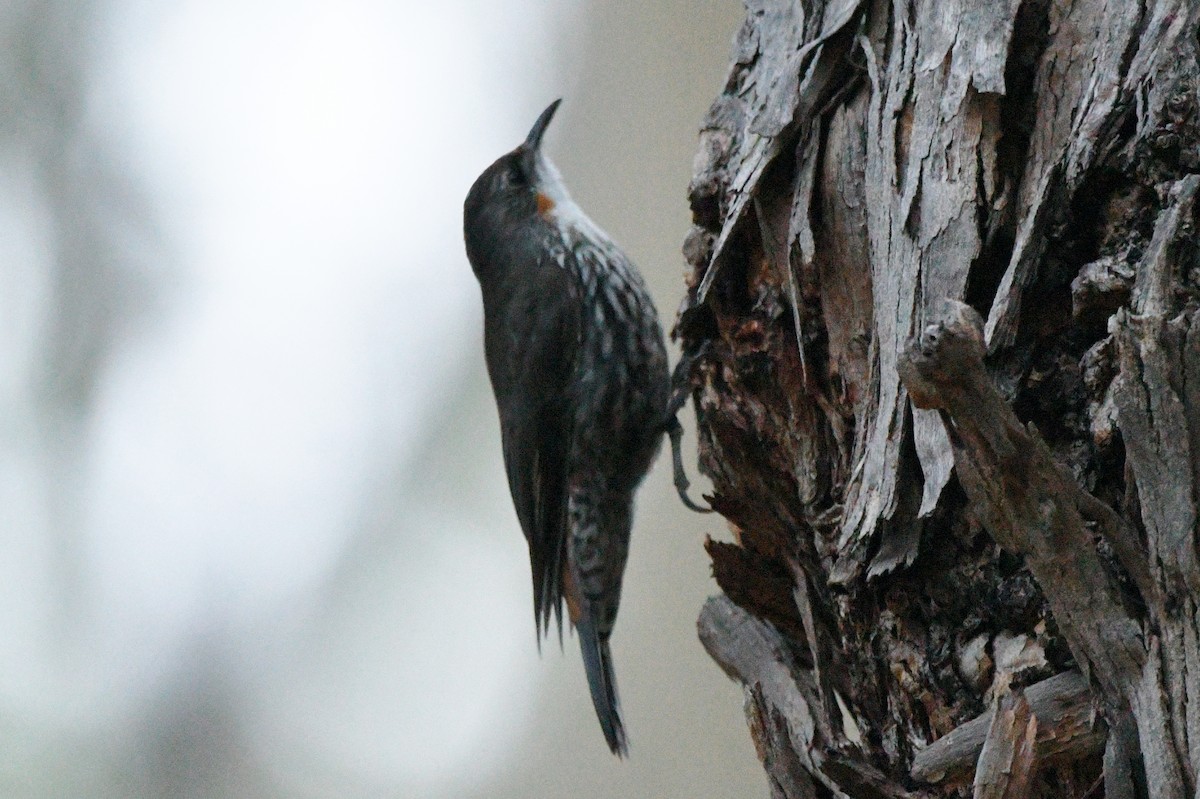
931,163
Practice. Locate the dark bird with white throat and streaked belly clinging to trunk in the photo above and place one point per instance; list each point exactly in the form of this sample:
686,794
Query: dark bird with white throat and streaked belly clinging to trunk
579,367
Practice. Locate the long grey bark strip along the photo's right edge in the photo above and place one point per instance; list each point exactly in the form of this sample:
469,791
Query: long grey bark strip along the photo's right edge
1159,413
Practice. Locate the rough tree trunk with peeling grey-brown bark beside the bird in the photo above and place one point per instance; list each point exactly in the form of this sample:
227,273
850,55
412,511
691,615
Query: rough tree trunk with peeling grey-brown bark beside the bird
946,302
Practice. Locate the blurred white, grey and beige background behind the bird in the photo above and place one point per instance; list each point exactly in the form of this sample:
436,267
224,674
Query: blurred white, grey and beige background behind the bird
255,534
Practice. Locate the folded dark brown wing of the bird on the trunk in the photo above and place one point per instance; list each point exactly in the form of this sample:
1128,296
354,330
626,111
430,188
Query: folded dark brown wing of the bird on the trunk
542,344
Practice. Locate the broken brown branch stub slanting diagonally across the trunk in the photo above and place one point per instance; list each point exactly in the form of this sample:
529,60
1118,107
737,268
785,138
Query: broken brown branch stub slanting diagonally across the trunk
1025,500
